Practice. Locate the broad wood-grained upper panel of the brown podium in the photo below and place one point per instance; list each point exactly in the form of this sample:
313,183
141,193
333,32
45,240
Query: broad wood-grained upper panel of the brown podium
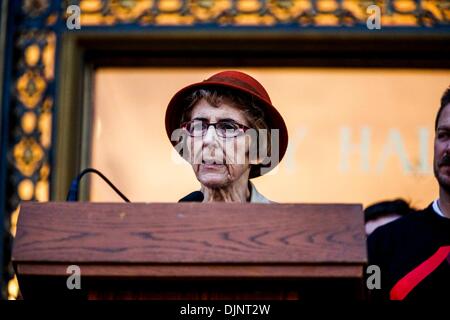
163,233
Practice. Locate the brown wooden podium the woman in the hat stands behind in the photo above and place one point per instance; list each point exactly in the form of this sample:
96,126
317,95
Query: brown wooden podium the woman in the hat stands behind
191,250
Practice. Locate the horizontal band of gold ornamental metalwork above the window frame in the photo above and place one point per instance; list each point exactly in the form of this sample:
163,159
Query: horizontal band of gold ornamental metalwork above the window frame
263,12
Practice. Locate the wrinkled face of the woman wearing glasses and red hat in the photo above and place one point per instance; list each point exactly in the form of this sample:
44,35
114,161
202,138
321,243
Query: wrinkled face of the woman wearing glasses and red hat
218,161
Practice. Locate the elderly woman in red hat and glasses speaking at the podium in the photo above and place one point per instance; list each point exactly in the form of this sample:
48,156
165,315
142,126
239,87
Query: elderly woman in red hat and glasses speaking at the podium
230,132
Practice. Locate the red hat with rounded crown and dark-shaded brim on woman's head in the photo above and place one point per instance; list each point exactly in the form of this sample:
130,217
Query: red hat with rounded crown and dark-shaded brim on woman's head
238,81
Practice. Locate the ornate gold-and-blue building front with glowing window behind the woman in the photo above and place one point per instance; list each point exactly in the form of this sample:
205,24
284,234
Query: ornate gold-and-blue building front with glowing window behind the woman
86,84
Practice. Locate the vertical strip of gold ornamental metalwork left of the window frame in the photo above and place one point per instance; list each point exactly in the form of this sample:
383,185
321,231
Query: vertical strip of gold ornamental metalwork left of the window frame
33,82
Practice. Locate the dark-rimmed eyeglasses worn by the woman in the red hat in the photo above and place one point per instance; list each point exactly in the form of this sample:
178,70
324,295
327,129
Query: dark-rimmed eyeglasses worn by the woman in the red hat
224,129
